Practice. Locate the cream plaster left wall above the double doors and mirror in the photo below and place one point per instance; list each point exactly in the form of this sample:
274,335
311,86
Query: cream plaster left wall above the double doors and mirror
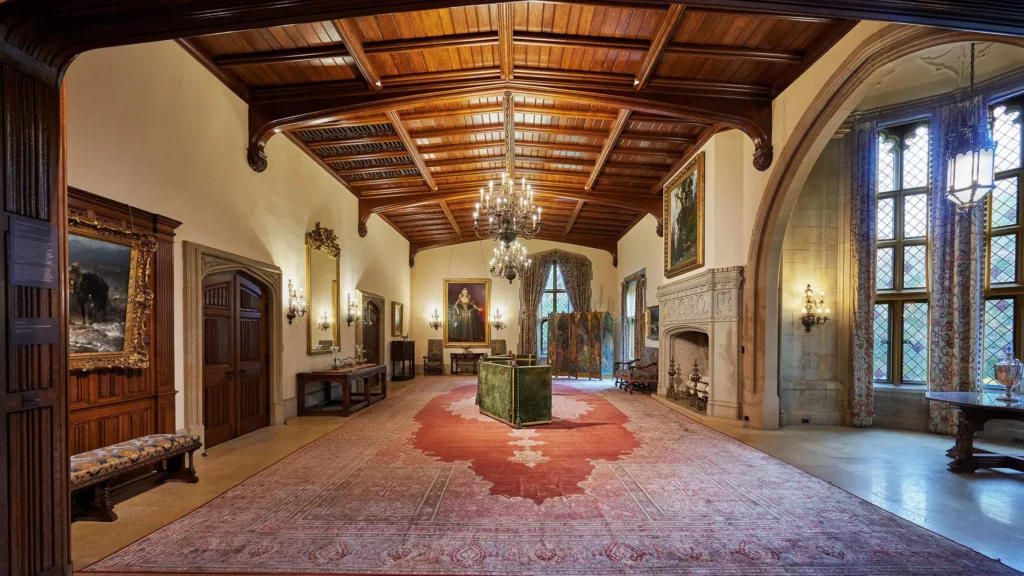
148,126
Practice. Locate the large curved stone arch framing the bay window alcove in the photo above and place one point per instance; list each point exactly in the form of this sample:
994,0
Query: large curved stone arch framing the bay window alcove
824,116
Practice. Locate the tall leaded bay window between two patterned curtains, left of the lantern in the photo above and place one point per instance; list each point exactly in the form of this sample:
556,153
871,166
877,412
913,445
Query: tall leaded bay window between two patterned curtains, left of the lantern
902,261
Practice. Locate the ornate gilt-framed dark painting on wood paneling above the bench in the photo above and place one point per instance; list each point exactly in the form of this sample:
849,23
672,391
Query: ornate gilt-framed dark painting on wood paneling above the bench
109,295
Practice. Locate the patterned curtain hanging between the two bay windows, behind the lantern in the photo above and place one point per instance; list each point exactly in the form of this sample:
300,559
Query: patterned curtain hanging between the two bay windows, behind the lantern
957,245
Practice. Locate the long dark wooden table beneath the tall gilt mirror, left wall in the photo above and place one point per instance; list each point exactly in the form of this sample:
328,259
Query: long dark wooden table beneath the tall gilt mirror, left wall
362,386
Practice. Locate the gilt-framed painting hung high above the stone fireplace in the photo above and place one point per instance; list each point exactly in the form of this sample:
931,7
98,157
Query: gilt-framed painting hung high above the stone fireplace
684,219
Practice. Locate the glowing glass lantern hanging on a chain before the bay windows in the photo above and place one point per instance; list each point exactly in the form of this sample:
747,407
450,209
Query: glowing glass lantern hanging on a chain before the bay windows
971,172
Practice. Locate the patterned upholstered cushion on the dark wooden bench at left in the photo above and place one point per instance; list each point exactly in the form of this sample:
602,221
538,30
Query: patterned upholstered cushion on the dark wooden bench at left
90,467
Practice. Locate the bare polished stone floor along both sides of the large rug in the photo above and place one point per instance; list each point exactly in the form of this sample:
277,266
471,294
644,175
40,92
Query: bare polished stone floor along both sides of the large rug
904,473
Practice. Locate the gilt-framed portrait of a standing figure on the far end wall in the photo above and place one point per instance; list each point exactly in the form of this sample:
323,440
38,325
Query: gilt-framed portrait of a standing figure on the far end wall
466,308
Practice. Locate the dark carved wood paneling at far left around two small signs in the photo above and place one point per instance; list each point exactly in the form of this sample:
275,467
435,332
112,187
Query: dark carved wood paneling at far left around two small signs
34,508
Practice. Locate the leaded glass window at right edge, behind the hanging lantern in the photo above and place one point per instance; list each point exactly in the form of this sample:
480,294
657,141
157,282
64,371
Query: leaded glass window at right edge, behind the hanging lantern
1005,283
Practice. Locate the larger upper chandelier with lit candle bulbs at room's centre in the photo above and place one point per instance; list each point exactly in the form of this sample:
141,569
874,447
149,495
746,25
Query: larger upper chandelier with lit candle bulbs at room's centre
510,213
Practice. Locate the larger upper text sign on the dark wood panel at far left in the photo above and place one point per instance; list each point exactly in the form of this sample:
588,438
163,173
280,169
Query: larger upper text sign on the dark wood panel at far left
32,257
